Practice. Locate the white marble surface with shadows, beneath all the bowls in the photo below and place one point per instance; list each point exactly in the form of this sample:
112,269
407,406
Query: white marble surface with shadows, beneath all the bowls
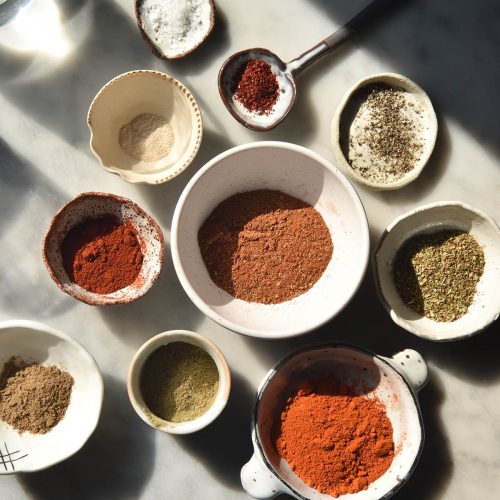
449,48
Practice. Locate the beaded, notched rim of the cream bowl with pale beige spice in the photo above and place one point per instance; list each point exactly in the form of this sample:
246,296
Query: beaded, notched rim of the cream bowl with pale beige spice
196,126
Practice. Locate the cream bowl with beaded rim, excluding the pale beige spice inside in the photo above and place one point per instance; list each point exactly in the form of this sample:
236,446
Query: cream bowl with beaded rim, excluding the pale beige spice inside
135,93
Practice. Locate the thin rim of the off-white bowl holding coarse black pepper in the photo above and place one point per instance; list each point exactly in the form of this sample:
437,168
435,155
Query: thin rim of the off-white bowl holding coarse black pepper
407,84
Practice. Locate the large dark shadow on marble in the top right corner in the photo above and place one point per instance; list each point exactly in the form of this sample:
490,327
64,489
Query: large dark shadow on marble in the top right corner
451,50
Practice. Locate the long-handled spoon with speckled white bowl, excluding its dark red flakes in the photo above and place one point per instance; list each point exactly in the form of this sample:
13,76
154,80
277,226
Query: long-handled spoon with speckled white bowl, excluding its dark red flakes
286,73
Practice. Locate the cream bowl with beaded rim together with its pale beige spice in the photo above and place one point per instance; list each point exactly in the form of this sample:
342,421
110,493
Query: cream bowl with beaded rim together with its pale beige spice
145,126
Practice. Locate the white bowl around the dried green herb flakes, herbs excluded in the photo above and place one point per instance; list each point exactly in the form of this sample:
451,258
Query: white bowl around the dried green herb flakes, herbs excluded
427,219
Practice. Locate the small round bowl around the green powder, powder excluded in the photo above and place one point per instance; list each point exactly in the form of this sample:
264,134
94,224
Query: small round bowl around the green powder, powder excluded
134,374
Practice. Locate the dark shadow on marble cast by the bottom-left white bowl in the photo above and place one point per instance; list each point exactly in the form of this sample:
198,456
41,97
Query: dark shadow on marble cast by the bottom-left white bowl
115,464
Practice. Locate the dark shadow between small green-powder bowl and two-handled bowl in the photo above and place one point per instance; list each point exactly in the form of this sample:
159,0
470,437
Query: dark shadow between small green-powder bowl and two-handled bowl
226,445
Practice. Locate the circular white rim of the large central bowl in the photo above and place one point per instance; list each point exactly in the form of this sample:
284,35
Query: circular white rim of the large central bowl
196,299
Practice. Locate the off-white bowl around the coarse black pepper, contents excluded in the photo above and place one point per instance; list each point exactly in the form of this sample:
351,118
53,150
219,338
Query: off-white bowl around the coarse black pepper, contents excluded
342,121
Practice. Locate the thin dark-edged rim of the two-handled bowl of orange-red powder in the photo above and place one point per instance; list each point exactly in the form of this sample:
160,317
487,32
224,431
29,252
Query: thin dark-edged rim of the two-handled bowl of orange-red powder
330,345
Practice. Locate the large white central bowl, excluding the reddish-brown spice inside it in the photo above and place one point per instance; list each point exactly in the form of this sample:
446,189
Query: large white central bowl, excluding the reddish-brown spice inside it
296,171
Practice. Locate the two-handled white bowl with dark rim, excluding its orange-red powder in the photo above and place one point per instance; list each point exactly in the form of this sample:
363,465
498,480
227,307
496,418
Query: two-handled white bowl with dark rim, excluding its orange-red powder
396,381
